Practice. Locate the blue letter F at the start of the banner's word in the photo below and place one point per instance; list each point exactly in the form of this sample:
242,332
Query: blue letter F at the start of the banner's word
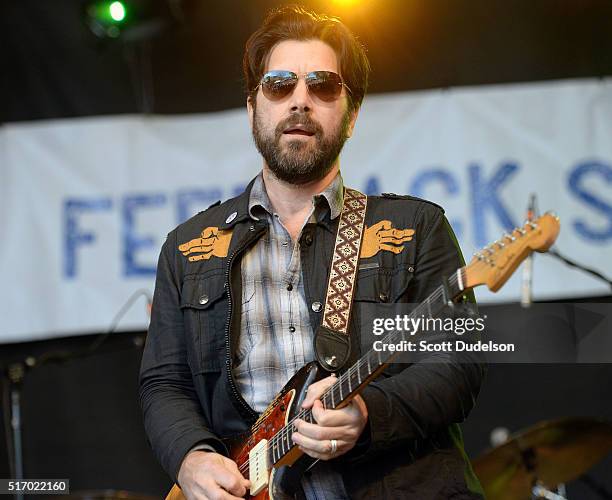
73,236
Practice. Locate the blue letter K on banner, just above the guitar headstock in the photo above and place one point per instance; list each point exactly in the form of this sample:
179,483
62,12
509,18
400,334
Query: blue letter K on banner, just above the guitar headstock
485,195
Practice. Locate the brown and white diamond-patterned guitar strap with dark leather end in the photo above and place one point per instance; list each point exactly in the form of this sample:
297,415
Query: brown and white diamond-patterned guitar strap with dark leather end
332,341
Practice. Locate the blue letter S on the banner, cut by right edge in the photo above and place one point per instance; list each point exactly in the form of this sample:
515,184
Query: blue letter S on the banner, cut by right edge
575,182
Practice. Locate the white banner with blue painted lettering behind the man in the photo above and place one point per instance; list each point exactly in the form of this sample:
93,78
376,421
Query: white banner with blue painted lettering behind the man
85,204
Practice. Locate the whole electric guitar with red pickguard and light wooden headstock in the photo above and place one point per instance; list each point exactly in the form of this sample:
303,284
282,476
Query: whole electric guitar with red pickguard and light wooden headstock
266,454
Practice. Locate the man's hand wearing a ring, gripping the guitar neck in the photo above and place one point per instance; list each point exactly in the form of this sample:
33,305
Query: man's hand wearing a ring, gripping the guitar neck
344,425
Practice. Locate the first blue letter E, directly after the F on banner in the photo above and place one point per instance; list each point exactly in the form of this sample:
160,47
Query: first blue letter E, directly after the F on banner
133,242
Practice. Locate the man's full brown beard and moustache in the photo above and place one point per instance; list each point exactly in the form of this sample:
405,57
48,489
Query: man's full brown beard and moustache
300,161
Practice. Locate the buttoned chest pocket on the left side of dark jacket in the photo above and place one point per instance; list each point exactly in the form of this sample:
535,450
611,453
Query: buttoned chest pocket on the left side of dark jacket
205,307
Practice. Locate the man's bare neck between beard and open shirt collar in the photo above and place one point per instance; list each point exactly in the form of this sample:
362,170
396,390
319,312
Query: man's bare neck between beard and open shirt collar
292,201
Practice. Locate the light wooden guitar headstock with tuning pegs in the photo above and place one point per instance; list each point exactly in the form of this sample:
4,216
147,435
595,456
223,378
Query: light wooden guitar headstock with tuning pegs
494,264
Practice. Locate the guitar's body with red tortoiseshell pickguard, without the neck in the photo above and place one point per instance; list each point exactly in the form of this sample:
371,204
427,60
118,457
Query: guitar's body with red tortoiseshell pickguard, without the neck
285,475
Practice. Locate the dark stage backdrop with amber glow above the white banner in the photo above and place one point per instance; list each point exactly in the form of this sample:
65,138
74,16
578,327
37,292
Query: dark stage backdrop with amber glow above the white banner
54,67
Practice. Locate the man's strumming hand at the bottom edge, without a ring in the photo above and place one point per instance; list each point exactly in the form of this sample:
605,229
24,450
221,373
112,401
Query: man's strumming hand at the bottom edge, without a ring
206,475
